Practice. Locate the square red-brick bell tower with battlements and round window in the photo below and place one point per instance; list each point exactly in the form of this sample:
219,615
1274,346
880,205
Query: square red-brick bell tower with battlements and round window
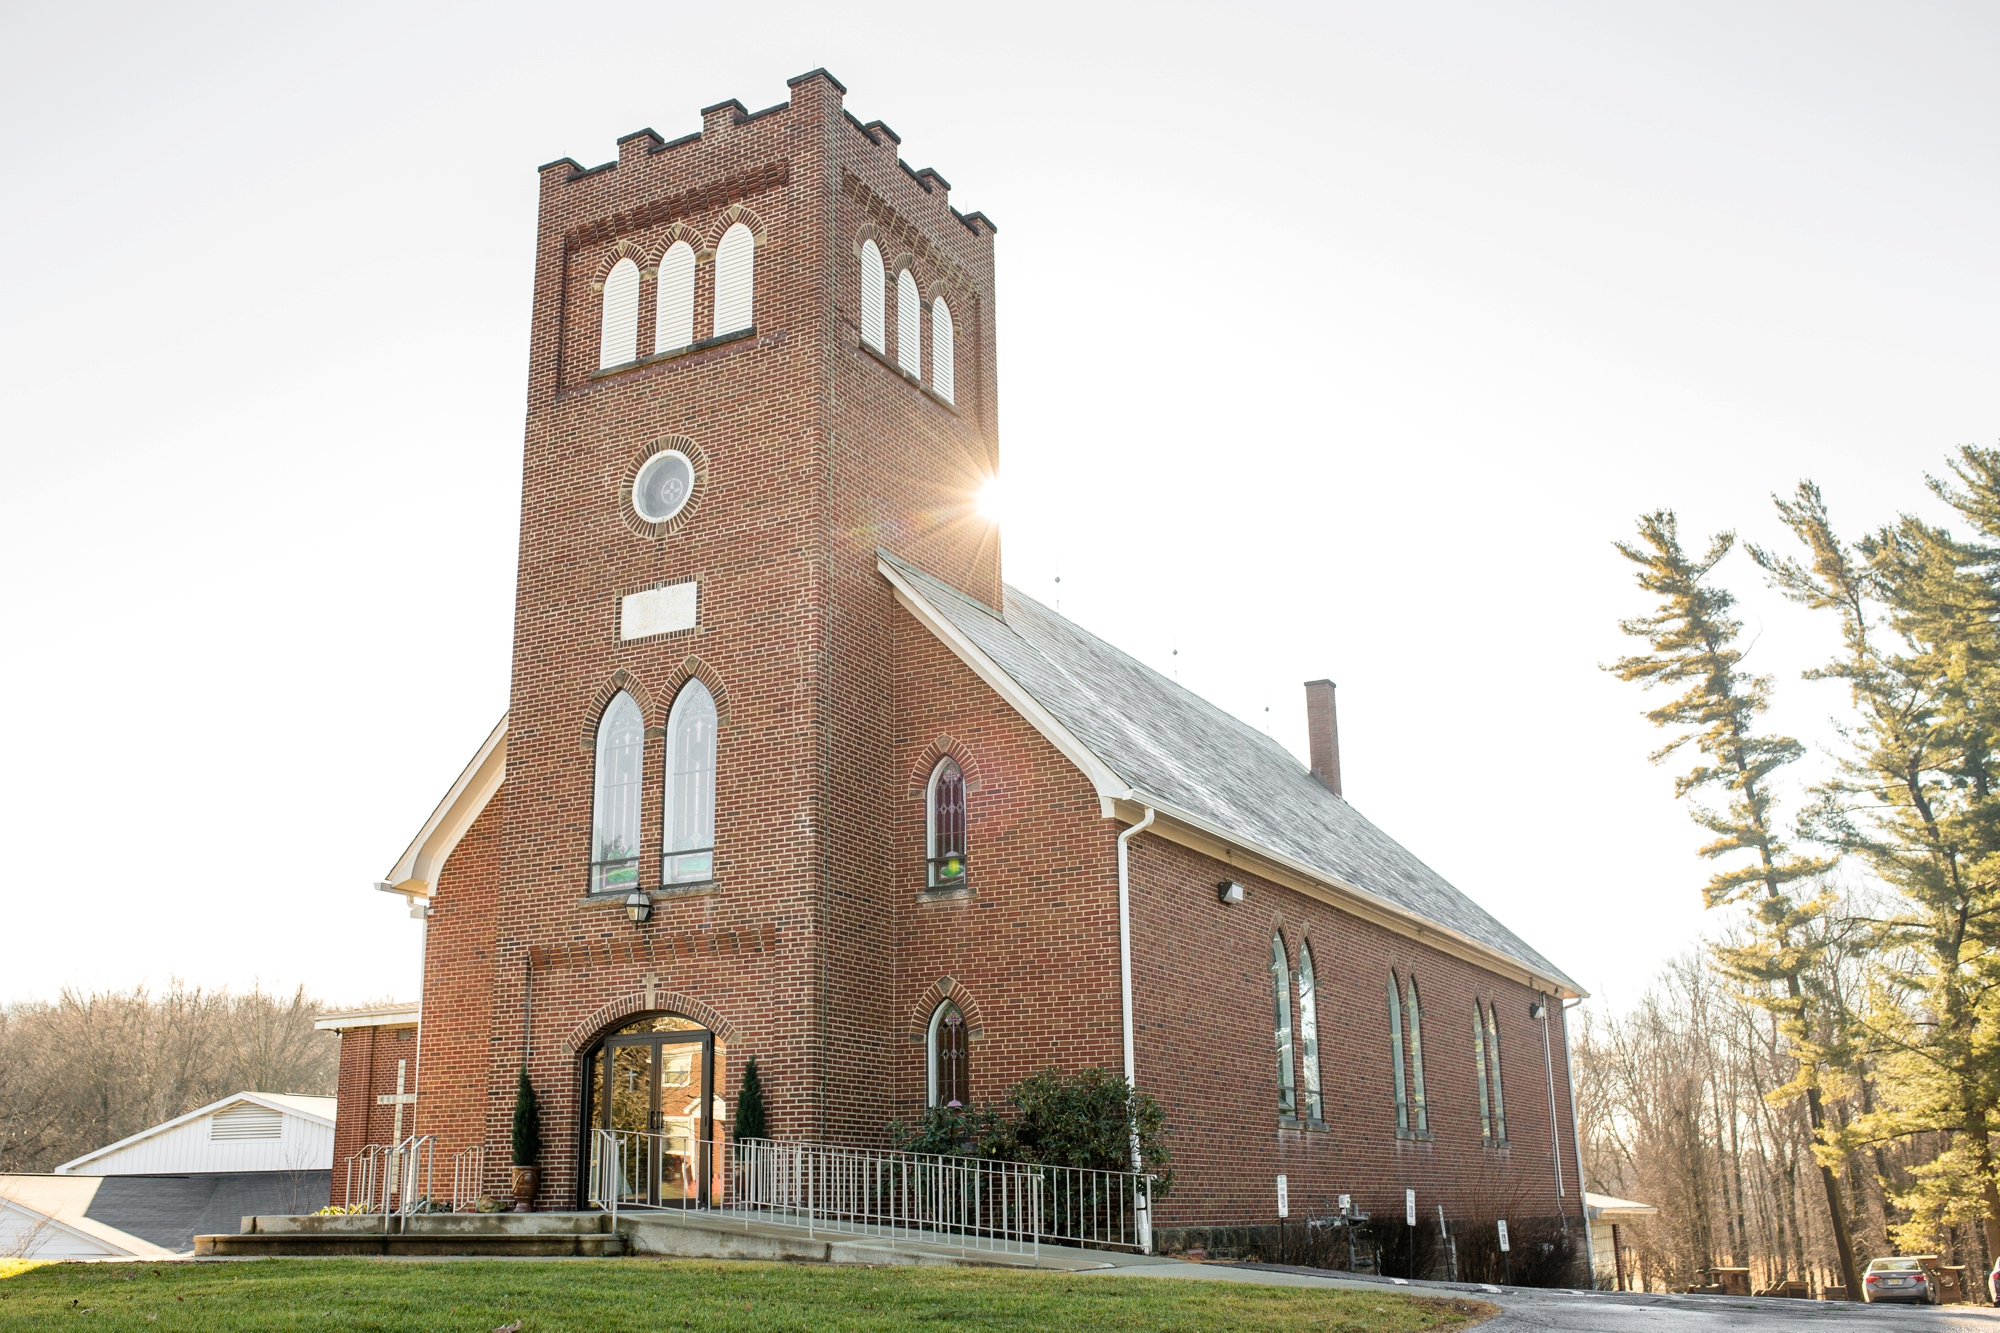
759,355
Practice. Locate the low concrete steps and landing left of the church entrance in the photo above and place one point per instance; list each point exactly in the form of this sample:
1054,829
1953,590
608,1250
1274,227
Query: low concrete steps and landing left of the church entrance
527,1236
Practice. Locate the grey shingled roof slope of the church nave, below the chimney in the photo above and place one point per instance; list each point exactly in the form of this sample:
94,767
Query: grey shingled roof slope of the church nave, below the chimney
1147,742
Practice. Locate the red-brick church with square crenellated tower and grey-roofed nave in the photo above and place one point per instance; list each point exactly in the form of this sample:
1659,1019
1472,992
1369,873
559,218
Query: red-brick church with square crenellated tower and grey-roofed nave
899,832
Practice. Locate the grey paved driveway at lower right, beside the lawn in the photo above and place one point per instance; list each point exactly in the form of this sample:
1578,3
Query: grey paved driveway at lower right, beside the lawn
1605,1312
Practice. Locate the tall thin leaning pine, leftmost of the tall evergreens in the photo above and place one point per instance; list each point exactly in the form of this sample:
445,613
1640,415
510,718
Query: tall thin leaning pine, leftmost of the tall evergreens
1693,647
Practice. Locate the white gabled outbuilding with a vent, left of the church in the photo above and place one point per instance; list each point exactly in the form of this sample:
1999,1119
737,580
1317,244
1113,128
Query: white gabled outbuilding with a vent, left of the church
249,1132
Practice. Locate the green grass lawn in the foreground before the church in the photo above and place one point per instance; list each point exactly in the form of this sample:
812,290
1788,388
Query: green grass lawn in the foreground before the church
651,1296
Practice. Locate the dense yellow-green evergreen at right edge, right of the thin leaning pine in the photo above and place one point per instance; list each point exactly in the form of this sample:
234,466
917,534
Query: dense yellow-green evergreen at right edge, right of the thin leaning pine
1917,802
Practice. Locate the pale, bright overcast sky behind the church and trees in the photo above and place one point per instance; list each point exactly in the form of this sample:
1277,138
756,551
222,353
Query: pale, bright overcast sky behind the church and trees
1335,341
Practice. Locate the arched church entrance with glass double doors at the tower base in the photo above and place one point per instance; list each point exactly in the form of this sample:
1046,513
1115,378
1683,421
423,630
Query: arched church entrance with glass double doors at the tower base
653,1112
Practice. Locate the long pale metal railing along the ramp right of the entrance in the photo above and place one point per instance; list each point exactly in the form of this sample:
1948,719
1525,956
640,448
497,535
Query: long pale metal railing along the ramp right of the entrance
965,1202
